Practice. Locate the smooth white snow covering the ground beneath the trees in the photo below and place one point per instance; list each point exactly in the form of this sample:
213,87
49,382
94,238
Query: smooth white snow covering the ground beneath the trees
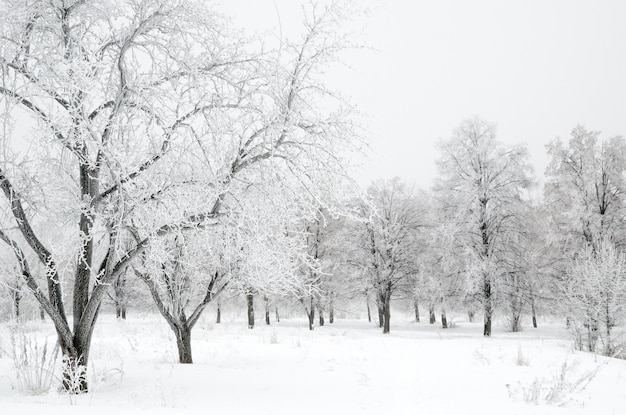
345,368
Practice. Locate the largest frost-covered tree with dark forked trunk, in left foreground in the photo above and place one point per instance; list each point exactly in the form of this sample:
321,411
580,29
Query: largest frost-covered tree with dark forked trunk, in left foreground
140,120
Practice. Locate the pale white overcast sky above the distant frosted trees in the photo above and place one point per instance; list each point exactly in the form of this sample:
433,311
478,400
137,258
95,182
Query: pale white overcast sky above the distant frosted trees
535,68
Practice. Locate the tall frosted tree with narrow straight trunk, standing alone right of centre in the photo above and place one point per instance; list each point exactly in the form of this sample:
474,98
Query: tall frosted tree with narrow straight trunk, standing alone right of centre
481,185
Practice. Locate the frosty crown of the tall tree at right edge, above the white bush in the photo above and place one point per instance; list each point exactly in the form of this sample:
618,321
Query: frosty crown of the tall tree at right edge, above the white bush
584,187
